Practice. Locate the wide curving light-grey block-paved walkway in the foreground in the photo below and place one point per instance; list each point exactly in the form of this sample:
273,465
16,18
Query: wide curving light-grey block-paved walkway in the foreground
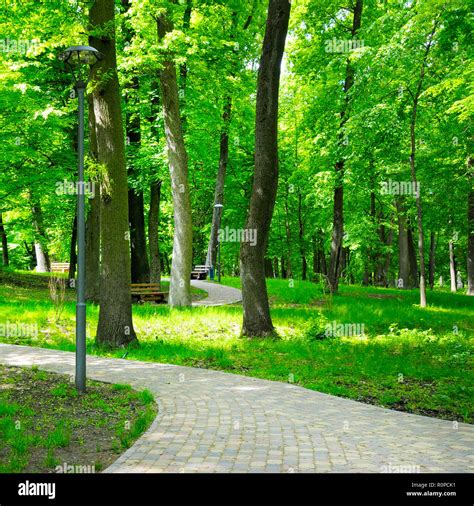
211,421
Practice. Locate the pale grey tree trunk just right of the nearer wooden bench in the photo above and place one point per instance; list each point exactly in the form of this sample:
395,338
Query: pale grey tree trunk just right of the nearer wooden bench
180,286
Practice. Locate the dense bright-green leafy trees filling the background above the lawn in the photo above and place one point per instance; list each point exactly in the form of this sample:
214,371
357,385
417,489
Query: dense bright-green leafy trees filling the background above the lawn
215,48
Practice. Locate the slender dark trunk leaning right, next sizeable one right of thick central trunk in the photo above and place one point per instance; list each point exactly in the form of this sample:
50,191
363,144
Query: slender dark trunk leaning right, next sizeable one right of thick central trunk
338,200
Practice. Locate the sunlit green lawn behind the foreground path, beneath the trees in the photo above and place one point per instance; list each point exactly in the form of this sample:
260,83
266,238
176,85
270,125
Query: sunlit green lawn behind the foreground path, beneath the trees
409,358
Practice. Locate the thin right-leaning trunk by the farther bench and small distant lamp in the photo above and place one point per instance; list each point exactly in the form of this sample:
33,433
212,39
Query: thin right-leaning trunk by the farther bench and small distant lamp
220,180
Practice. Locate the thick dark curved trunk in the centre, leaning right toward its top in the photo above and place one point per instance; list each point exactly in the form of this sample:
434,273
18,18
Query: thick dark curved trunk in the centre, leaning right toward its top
257,320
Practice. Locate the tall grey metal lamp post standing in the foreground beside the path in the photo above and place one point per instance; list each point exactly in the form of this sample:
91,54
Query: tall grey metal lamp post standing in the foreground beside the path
79,58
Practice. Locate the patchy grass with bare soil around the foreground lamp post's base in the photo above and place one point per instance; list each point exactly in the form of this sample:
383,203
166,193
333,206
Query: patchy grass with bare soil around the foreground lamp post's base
44,423
